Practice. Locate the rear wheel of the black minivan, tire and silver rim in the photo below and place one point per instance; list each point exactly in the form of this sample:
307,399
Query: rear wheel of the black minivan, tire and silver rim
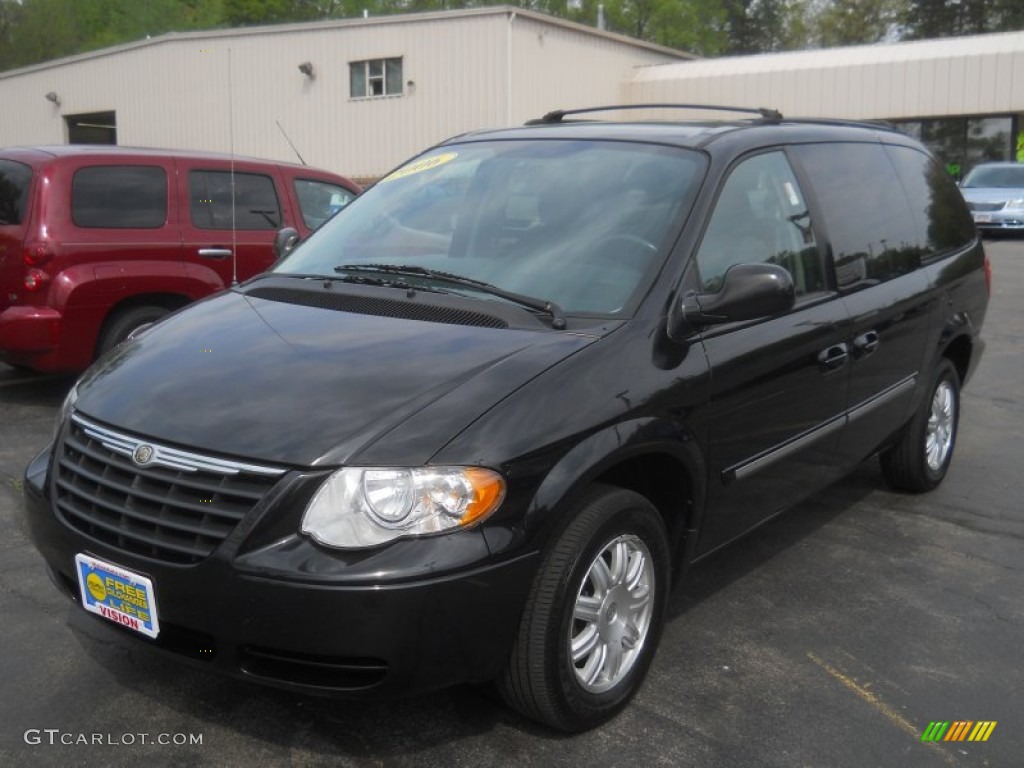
921,458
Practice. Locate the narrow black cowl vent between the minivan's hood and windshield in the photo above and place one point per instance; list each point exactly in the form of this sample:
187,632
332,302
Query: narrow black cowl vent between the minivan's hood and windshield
380,307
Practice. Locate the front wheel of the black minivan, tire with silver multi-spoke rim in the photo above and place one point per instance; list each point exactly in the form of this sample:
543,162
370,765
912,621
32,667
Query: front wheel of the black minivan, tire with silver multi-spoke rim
541,680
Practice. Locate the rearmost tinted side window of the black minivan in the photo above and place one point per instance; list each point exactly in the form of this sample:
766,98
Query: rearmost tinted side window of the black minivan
938,208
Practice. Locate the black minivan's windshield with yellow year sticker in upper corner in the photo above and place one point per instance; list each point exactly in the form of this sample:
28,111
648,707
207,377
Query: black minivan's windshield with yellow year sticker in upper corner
584,225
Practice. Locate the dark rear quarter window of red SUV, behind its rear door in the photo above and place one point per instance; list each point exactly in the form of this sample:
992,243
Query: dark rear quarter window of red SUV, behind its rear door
119,197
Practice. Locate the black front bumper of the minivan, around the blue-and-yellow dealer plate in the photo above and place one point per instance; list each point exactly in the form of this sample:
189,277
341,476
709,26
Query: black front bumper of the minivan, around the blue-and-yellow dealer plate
310,629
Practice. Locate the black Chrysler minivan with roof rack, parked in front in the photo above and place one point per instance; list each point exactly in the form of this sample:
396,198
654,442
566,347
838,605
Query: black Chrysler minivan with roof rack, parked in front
477,426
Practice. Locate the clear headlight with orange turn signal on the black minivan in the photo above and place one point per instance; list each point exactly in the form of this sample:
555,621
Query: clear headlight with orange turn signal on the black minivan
365,506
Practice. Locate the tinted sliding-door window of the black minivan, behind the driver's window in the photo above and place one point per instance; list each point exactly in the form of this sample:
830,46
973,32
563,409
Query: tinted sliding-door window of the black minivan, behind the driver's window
874,234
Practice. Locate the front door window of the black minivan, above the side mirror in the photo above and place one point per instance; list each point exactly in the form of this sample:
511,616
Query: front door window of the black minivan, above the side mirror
761,218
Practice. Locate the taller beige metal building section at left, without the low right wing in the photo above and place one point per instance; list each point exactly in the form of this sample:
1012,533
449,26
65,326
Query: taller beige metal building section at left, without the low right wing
355,96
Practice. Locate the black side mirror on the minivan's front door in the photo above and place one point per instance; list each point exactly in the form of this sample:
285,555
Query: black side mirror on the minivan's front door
749,292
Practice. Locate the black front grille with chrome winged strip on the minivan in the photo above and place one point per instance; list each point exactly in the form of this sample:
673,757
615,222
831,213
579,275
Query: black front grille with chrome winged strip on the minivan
177,509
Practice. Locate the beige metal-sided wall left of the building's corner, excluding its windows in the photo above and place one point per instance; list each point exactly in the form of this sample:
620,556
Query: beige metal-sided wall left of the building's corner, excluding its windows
176,95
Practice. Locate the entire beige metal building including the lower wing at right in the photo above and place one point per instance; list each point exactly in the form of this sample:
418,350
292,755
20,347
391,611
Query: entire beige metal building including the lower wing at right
360,96
